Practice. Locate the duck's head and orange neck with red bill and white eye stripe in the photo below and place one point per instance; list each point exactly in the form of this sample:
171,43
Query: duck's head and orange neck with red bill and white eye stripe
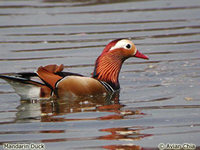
108,64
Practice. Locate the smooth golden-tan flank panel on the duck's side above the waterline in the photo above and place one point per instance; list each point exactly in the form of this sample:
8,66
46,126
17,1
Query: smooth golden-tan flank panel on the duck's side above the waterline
79,86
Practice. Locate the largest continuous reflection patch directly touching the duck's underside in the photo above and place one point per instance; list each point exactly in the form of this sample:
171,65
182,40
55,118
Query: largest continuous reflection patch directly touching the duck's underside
54,110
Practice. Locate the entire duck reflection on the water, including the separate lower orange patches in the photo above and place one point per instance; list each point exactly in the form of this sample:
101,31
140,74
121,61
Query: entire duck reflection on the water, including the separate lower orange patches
56,110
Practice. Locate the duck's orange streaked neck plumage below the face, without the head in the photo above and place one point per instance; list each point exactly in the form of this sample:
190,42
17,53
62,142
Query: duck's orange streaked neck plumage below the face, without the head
107,69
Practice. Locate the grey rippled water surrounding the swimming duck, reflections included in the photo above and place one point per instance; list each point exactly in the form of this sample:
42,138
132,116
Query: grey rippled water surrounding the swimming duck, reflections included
159,101
